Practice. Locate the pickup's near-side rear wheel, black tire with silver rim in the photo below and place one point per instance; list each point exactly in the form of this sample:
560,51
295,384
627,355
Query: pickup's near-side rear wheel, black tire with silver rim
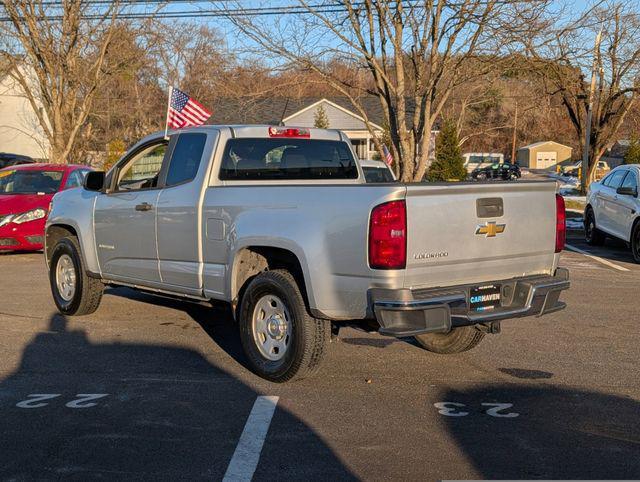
280,339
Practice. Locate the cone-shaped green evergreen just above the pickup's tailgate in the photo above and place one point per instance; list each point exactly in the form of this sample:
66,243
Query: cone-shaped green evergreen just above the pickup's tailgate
449,163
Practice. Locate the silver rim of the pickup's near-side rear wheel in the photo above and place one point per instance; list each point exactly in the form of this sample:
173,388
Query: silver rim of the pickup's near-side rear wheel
271,327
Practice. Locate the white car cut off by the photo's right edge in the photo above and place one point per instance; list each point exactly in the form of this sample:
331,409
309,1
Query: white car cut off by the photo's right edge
612,208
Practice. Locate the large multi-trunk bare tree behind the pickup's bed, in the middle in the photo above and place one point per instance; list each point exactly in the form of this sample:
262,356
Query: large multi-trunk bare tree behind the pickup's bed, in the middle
412,54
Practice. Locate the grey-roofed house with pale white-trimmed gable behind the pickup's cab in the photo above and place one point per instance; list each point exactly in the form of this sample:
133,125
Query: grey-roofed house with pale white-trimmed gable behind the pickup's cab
301,112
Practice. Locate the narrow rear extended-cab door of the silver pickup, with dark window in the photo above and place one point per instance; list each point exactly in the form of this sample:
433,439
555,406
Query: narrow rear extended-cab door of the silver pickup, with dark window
179,214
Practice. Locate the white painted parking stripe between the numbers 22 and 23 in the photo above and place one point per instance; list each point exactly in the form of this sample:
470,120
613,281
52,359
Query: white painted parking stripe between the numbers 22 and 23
245,459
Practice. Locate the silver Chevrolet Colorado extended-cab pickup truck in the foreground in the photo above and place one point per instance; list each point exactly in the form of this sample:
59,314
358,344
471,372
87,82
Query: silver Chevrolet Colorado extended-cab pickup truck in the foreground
279,223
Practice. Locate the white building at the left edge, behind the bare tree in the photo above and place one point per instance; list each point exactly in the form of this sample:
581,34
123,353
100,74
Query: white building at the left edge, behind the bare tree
20,131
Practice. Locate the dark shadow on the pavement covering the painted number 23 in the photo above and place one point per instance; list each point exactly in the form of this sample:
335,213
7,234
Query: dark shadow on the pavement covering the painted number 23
558,433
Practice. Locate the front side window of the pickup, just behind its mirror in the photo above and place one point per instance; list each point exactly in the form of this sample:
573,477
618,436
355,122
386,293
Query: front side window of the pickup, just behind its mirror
143,169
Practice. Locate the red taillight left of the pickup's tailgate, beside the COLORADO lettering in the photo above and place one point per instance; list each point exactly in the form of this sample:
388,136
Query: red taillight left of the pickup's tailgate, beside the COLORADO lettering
388,236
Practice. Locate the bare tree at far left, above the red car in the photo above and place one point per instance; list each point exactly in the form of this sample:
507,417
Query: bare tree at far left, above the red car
57,55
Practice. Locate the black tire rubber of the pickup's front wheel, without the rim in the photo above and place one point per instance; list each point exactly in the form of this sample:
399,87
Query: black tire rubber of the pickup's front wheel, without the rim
88,291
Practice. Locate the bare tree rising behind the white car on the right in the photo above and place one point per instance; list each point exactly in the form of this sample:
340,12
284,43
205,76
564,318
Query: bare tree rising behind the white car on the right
565,60
